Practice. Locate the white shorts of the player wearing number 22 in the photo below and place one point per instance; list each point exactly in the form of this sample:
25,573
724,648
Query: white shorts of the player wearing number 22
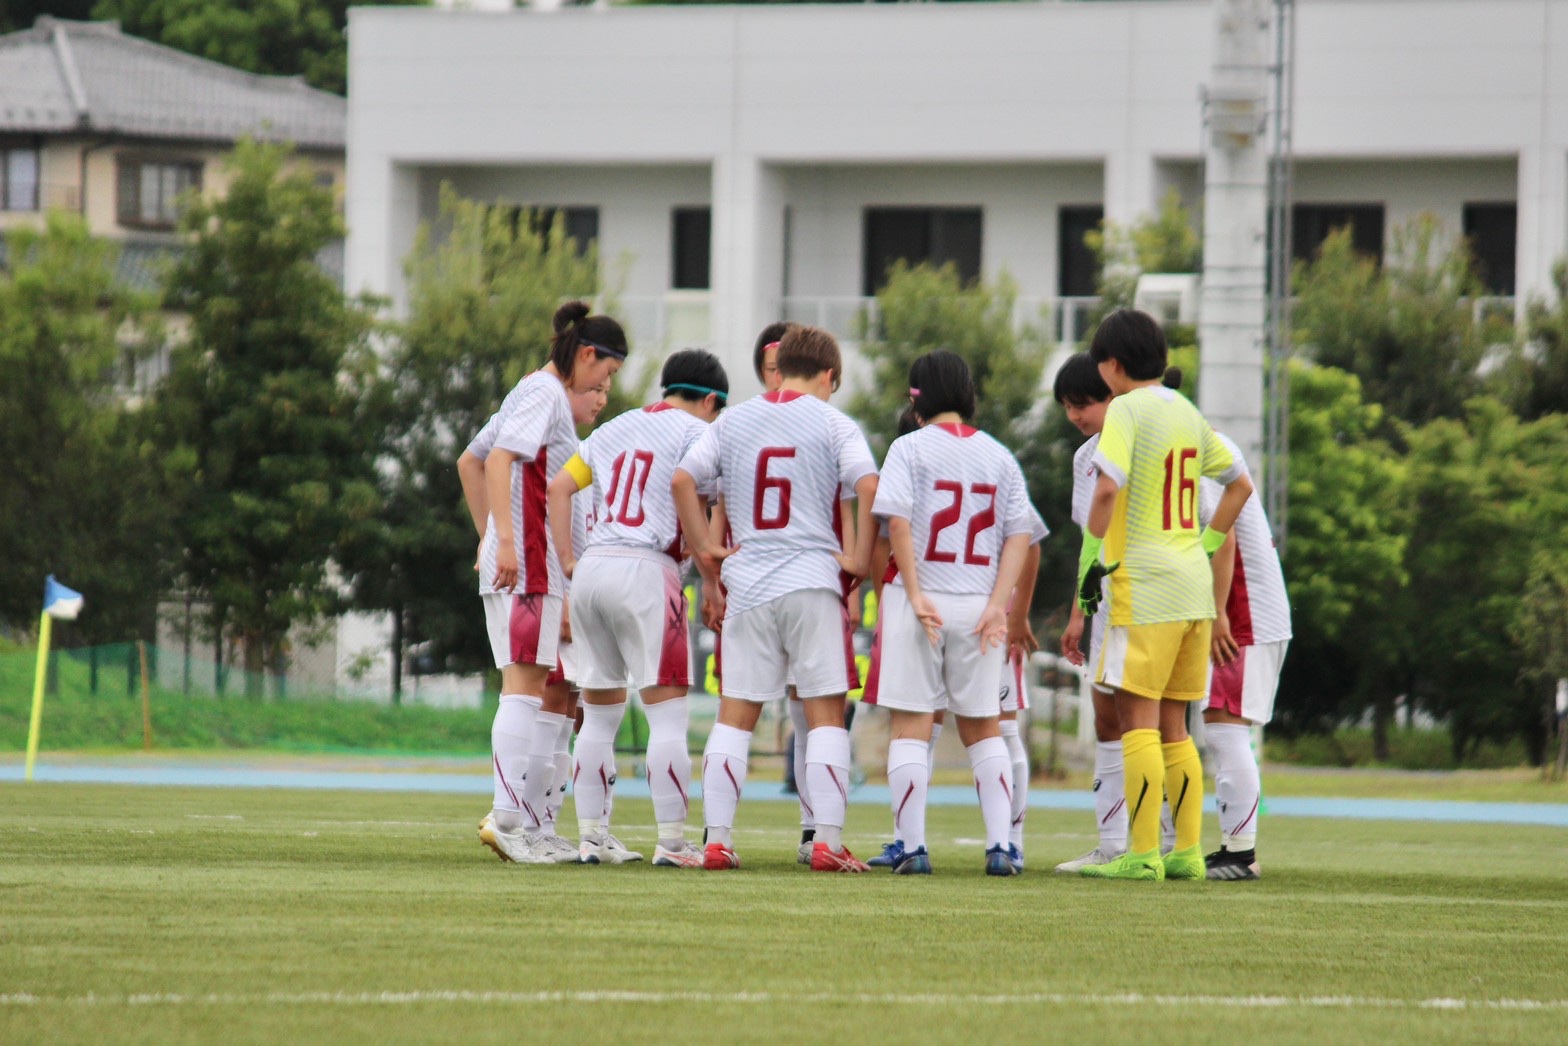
956,674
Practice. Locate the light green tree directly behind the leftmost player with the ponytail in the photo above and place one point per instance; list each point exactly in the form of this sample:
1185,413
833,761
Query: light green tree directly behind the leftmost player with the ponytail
482,296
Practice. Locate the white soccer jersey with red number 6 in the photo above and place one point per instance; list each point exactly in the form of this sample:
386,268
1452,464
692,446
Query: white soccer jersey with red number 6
783,459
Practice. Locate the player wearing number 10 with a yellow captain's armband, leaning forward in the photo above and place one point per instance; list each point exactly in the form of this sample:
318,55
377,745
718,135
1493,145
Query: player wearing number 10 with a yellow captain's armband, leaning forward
630,611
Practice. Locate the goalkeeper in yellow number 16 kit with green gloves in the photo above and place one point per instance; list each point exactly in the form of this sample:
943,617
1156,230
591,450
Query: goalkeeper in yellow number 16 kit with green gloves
1153,451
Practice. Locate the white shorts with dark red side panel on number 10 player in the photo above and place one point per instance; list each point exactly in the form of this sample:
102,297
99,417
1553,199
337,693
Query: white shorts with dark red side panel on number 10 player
630,617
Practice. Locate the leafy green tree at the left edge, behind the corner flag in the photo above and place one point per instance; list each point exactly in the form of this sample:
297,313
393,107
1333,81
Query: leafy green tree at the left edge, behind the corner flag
81,488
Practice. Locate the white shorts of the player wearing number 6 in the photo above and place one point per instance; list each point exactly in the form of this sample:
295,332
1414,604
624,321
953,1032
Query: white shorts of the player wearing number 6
799,636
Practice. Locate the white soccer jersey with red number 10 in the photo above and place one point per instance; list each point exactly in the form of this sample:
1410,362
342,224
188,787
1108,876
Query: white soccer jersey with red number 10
633,460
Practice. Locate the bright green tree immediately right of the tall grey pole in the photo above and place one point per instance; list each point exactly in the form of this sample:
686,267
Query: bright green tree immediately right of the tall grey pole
1346,561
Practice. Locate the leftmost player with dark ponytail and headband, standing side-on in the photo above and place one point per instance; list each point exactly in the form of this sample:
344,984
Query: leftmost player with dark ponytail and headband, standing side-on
535,440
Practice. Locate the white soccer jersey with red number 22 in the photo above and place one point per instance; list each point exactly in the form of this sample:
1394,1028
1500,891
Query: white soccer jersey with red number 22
964,496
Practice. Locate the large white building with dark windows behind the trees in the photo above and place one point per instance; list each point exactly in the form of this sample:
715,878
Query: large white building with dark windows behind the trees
746,164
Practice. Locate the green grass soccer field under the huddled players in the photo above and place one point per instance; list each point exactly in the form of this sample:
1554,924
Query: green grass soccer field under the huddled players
195,915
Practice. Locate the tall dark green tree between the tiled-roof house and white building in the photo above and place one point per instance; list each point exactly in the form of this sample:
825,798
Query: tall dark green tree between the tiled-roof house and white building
269,405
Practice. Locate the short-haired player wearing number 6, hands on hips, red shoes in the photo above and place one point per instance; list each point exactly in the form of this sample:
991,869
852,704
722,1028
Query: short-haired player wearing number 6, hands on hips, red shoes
783,460
